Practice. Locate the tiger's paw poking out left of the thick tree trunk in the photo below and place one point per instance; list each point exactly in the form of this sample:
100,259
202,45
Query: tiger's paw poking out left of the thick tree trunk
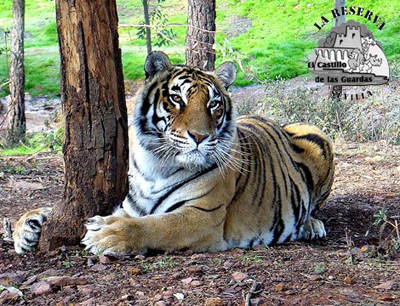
28,228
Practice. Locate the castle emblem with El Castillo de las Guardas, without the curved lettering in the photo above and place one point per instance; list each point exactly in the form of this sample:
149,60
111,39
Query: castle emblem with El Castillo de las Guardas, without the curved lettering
350,56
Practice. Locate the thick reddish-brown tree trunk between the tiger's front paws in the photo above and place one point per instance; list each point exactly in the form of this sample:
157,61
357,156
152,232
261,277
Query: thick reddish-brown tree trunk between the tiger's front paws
96,139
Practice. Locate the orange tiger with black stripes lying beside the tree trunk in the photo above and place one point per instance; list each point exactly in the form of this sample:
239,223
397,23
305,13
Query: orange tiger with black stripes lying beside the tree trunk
203,179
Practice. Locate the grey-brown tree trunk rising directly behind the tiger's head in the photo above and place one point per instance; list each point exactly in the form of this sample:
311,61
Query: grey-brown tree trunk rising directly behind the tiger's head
200,36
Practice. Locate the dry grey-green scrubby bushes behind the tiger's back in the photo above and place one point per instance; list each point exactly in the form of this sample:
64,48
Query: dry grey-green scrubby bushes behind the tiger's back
365,120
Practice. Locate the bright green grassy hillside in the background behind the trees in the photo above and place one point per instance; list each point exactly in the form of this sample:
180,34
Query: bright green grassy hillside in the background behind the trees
273,37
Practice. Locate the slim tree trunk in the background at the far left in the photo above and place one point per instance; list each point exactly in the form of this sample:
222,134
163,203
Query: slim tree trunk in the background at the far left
16,105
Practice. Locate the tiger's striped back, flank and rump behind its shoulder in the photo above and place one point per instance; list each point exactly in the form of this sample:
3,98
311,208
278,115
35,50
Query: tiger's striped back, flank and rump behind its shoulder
288,173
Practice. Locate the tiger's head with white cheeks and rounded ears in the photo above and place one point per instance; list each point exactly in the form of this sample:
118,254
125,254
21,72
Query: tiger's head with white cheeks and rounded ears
185,114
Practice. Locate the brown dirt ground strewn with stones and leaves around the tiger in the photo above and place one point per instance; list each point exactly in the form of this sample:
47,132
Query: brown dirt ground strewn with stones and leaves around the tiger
348,267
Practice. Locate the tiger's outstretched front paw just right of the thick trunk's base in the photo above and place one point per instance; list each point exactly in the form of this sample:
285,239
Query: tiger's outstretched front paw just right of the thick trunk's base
110,235
